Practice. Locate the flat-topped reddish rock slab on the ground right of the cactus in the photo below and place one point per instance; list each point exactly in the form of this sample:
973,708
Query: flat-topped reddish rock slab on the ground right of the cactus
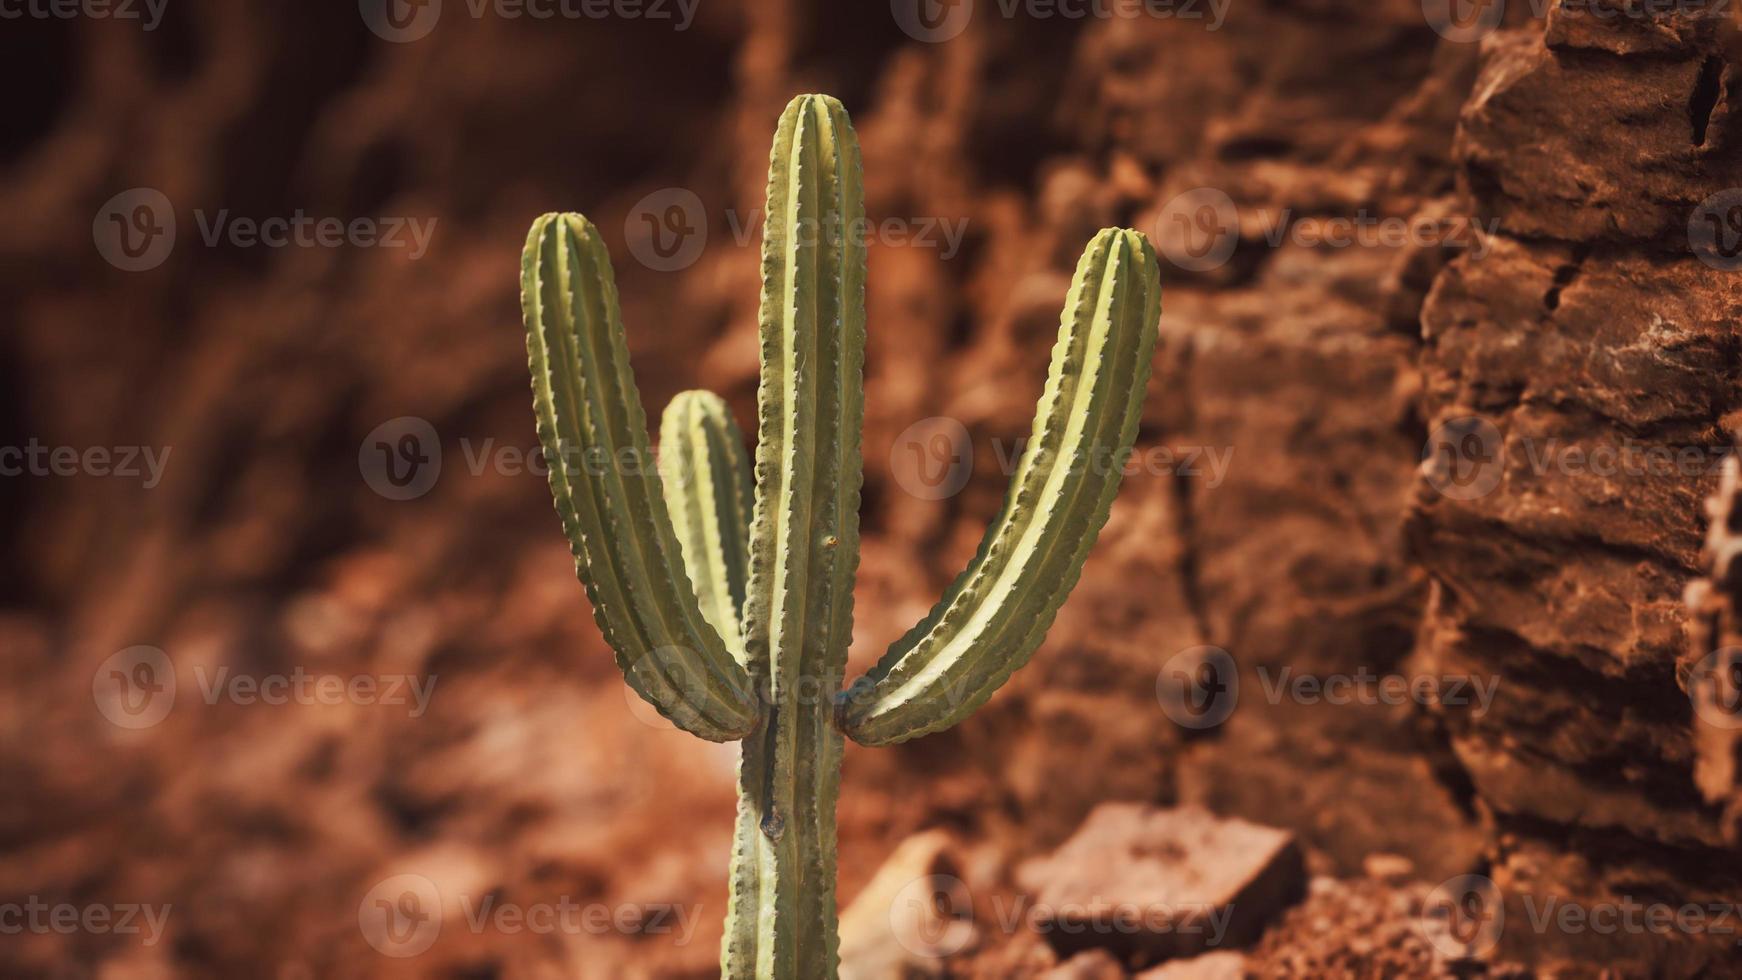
1147,883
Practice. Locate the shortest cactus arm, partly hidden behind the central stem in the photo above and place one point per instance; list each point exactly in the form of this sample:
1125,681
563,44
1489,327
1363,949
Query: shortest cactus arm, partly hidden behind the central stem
708,492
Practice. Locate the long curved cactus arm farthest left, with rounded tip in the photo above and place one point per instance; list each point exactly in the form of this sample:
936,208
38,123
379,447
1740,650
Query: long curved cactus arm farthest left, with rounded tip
607,493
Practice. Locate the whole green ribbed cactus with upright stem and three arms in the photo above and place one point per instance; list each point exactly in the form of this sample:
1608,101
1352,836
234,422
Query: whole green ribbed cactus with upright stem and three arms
727,596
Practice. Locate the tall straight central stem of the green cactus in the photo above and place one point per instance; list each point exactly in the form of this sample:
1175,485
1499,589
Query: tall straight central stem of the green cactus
804,546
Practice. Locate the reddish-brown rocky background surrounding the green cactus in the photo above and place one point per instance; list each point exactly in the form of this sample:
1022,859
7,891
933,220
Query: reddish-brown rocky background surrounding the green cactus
344,500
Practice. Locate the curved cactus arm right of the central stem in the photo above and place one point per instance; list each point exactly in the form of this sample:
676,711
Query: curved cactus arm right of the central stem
999,610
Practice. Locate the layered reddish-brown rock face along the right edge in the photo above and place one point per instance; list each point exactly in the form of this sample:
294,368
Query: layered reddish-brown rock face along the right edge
1584,380
